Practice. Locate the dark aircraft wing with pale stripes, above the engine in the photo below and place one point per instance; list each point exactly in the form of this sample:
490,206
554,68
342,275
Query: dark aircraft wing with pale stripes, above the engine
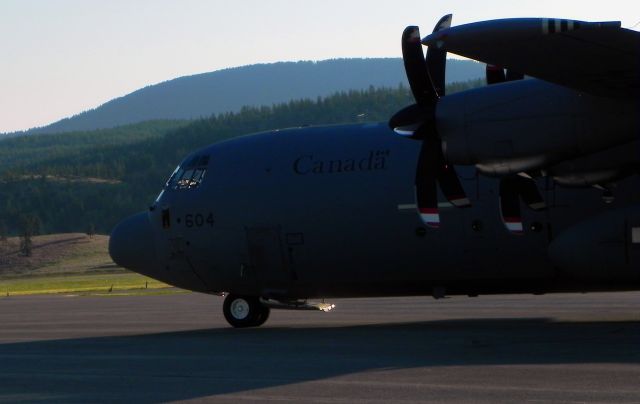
598,58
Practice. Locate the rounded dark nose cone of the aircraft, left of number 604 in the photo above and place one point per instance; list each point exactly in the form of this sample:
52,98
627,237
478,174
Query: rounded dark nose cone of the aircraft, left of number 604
131,244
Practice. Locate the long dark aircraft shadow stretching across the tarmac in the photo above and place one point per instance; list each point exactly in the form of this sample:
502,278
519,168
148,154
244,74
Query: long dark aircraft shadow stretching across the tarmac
199,363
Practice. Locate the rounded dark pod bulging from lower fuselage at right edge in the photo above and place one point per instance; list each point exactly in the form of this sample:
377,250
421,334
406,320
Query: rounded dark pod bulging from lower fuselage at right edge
603,247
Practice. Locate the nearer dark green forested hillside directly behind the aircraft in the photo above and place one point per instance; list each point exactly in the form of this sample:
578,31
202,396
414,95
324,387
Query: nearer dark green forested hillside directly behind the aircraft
76,181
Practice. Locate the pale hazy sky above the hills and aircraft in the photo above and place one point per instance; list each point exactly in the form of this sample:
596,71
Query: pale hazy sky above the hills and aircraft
60,57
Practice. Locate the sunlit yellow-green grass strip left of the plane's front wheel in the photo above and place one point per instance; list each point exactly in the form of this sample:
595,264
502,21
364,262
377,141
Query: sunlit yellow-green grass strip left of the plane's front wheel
118,283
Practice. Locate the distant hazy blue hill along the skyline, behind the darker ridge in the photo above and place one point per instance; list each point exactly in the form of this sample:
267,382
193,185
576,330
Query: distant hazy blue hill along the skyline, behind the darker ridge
256,85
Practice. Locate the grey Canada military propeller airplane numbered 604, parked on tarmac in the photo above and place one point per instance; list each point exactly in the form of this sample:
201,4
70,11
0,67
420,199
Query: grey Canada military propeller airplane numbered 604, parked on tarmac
527,185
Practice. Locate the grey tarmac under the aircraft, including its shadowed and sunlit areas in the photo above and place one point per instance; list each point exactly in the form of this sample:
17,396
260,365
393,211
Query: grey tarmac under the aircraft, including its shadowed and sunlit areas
554,348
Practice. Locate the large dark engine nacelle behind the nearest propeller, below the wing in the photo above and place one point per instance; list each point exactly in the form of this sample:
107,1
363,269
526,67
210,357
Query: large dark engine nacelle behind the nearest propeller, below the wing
530,124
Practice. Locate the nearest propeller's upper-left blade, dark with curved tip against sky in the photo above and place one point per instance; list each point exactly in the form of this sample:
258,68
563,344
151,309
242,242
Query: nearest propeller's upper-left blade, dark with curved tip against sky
415,67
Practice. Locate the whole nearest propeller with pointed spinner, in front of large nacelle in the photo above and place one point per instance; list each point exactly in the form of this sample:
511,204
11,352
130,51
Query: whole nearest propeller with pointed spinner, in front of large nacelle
427,81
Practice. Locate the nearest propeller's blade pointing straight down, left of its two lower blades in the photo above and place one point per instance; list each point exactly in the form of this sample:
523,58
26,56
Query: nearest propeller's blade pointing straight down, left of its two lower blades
426,181
